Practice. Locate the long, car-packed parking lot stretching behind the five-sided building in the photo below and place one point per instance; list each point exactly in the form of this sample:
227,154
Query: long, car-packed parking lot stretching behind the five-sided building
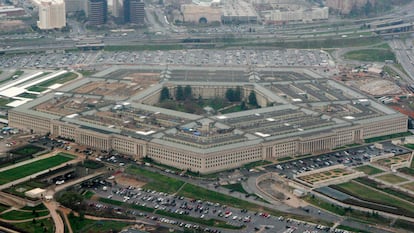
289,57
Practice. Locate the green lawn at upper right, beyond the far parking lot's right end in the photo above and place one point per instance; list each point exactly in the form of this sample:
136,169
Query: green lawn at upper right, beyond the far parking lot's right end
371,55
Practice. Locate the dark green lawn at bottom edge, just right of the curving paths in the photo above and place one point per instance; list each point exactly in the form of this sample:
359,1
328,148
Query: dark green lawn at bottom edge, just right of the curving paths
91,226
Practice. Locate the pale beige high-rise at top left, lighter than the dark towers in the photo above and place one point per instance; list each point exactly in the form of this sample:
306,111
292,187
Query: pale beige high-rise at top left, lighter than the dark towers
52,14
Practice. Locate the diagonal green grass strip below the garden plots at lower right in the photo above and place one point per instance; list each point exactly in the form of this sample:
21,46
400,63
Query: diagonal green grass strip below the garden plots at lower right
368,194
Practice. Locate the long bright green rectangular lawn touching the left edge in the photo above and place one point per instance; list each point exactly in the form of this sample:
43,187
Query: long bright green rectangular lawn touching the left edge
31,168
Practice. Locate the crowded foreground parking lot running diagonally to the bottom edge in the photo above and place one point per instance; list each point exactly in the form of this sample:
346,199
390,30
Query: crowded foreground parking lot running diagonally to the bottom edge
254,221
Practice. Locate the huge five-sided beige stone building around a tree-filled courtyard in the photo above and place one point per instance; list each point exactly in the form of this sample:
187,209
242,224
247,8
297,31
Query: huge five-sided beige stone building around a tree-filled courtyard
210,143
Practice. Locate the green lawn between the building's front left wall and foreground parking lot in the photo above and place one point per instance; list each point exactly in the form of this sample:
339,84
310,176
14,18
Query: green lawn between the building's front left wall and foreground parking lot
156,181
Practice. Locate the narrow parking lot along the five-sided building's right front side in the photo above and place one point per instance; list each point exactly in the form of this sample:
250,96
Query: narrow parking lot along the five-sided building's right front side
349,157
